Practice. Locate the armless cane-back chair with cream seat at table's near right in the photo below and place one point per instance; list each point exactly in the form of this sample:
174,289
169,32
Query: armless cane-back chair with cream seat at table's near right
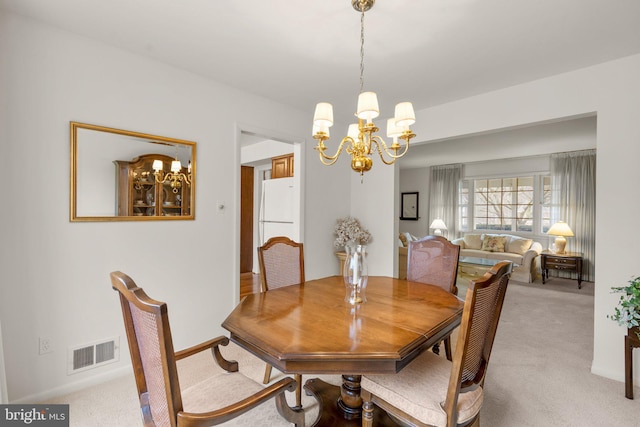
432,391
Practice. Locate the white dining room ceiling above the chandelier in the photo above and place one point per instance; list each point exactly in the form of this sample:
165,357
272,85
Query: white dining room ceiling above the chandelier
302,52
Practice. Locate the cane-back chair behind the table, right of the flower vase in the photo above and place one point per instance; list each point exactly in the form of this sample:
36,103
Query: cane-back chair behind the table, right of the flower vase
434,260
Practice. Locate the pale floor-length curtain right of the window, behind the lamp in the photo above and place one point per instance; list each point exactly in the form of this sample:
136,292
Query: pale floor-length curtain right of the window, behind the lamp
573,183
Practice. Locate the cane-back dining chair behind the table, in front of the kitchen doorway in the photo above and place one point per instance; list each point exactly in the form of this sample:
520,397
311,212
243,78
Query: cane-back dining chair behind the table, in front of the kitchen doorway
281,264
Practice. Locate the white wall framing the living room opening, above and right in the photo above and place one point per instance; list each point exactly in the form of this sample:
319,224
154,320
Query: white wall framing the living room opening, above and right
611,90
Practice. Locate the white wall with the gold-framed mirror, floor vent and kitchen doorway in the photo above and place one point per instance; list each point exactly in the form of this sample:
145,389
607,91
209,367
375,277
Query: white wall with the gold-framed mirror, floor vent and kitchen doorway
55,274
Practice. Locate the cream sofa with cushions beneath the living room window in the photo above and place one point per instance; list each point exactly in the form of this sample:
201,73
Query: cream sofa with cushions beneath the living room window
521,251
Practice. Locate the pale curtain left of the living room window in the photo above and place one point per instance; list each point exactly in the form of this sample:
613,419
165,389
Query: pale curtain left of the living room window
443,197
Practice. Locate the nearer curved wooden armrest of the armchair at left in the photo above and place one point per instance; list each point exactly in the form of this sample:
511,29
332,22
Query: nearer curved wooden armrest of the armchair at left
189,419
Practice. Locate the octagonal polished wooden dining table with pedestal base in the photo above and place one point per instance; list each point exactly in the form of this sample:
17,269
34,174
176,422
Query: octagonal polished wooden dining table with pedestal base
310,329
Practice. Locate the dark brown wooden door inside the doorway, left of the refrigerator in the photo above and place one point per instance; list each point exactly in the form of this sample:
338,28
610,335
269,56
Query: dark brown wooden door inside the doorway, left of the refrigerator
246,219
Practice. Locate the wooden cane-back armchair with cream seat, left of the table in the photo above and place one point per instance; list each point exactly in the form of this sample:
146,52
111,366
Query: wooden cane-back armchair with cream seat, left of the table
218,398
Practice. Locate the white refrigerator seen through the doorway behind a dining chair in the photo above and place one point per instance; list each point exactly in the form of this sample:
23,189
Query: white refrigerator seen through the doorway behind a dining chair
277,210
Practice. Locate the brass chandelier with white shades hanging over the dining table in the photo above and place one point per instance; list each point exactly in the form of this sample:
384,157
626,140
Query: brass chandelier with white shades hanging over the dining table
361,140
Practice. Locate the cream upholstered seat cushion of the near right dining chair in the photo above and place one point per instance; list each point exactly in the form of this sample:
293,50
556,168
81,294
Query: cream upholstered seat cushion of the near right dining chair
420,390
